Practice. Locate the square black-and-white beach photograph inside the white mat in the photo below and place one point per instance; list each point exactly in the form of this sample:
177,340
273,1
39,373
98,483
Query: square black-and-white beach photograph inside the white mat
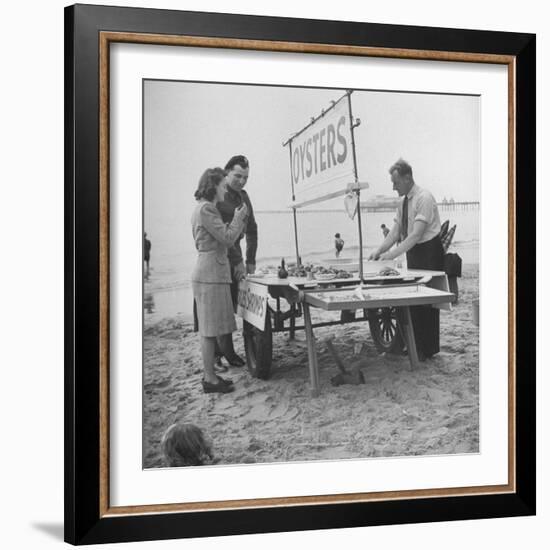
310,273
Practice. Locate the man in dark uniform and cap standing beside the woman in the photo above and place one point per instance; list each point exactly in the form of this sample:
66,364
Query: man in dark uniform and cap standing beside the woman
237,176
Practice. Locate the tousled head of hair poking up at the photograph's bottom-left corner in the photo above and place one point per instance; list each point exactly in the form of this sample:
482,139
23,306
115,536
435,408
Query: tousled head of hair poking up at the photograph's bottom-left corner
184,444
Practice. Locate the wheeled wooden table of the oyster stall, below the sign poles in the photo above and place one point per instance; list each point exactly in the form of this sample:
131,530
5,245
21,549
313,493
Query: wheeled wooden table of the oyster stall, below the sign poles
381,294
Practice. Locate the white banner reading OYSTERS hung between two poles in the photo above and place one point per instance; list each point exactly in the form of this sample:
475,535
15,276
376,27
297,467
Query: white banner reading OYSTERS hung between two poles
322,156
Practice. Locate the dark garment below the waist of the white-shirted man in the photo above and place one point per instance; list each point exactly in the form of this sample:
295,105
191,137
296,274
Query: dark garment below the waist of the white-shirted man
428,255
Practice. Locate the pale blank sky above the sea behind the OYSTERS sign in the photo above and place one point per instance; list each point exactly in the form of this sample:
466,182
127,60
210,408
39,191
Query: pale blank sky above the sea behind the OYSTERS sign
190,126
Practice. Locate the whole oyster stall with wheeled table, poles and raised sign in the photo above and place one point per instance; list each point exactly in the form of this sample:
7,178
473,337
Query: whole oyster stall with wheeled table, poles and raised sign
377,292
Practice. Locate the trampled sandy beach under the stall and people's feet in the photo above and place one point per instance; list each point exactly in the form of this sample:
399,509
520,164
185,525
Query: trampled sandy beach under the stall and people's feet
397,412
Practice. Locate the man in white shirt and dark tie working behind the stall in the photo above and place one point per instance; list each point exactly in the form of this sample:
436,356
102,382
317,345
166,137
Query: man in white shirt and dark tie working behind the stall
417,226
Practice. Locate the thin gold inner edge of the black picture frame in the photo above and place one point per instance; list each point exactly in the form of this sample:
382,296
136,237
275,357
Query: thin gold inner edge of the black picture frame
105,39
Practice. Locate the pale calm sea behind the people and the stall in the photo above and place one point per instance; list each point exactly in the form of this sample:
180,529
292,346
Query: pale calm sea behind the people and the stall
167,292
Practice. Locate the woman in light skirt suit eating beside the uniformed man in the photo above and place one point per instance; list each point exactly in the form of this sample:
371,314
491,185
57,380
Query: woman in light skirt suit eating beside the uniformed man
211,277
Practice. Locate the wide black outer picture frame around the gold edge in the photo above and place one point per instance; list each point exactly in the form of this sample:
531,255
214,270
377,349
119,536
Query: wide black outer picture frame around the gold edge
85,519
